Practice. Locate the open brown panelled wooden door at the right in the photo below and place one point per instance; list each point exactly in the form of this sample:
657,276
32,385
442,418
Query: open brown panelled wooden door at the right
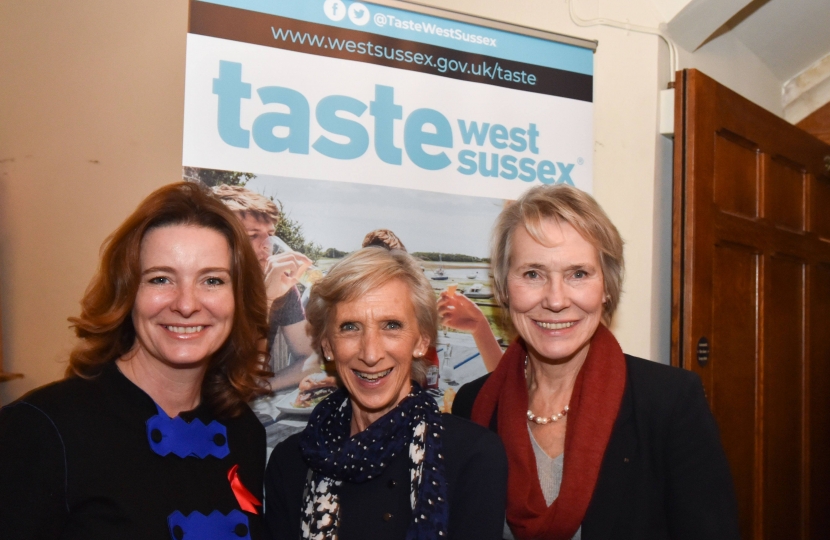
751,300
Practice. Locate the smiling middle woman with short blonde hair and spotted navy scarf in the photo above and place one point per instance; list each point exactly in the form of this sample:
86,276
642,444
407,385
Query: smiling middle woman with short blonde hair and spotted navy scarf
377,459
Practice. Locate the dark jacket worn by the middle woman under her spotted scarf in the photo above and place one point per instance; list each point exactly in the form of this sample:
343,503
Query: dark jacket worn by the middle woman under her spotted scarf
476,470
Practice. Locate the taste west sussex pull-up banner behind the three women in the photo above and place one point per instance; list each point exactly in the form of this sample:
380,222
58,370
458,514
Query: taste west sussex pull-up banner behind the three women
357,117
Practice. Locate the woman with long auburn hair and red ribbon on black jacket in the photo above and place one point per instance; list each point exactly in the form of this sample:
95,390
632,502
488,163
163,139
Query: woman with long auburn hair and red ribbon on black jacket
149,436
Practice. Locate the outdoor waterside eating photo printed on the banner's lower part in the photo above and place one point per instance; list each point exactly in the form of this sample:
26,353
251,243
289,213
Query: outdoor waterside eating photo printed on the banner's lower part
317,223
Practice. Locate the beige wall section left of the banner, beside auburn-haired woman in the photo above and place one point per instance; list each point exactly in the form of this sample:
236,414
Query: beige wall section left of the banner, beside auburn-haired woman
90,122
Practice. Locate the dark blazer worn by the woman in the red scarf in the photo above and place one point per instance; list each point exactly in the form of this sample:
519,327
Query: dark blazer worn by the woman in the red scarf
664,474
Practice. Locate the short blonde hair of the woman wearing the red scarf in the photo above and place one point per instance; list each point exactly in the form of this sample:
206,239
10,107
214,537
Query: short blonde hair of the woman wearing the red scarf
574,207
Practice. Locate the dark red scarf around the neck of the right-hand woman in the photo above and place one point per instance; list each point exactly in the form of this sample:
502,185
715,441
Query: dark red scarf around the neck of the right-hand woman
593,409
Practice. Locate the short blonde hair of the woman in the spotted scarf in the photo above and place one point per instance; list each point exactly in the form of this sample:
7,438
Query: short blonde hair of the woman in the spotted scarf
362,271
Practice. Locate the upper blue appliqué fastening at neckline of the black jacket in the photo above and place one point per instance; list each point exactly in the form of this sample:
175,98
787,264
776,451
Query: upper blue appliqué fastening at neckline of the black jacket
173,435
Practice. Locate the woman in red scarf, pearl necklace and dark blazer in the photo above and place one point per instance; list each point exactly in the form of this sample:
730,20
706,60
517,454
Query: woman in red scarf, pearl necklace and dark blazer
600,444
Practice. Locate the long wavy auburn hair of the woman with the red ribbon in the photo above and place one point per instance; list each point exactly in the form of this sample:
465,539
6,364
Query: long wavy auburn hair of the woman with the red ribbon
235,372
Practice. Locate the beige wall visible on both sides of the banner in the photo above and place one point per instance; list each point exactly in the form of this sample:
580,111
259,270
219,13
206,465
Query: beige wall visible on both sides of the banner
91,121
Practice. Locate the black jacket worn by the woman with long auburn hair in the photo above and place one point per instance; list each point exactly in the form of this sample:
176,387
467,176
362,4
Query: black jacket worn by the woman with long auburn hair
76,463
